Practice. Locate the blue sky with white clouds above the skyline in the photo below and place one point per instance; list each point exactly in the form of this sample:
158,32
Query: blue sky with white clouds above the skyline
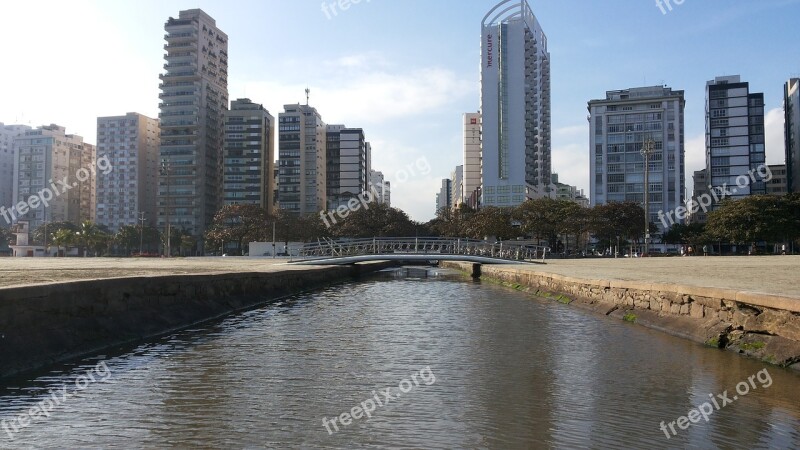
403,70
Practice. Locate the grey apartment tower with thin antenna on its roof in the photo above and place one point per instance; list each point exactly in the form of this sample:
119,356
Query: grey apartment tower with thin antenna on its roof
302,139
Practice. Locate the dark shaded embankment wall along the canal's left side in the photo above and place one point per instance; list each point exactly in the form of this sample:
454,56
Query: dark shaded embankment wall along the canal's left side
46,324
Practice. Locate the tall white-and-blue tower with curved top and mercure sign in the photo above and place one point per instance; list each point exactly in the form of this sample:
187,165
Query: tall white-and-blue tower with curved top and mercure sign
515,105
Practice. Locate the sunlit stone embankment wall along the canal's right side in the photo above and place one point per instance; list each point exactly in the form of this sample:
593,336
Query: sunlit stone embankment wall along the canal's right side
762,326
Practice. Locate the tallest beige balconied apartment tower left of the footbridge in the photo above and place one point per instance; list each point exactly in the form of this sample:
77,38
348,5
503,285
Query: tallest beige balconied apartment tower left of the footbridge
194,97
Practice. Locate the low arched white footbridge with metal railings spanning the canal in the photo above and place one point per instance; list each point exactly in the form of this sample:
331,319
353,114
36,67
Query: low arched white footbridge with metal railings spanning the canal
419,249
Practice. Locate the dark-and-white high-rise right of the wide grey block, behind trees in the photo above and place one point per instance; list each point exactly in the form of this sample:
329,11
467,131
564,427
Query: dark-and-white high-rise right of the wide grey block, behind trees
734,137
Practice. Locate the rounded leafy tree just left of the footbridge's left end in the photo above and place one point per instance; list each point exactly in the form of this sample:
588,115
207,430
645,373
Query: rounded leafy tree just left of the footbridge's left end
237,223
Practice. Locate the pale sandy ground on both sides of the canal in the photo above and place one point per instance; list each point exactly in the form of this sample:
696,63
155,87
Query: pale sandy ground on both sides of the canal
775,275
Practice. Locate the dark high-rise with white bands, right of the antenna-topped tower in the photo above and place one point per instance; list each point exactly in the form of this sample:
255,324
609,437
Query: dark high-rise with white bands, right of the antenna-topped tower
347,173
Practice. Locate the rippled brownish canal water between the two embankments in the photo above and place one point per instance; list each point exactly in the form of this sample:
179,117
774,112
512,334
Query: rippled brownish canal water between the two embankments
466,365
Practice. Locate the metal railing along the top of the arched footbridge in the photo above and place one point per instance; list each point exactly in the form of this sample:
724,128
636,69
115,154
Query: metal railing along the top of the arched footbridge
507,250
